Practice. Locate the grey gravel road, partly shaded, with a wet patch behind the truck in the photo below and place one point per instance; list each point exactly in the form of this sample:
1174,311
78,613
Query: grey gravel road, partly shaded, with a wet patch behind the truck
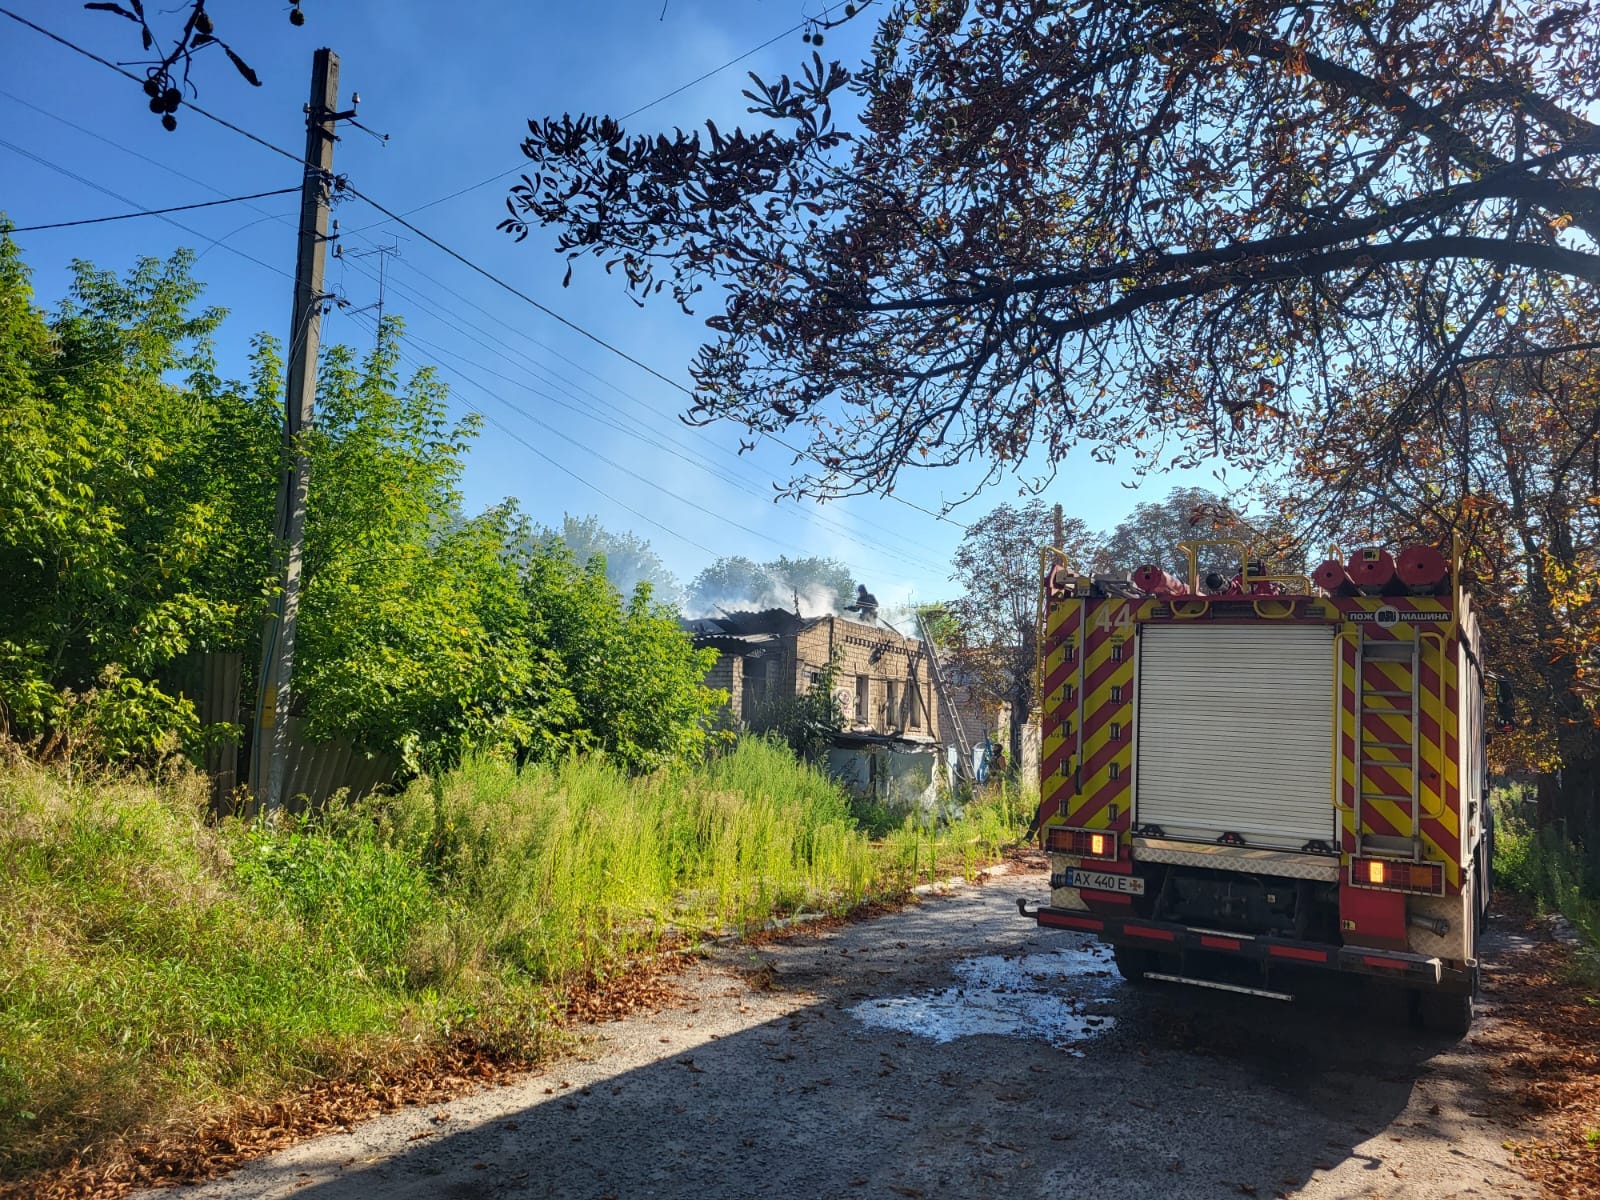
950,1050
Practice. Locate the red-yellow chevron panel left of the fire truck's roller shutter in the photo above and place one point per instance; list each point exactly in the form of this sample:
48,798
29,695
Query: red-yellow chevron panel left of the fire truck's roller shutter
1090,650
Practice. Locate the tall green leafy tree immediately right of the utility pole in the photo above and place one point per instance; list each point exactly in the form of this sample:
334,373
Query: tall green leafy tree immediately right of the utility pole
414,626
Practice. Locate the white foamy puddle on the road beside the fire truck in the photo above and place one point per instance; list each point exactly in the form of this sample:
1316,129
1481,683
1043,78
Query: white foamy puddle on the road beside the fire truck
1060,999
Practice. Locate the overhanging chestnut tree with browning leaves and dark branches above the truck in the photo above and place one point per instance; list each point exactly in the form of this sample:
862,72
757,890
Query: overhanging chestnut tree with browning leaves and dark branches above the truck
1154,228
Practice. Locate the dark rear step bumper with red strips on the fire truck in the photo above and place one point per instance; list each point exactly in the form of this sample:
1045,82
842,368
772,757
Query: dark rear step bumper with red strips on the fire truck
1412,970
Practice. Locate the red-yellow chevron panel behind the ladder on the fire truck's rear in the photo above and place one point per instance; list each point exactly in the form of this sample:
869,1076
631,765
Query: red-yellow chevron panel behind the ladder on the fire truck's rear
1377,772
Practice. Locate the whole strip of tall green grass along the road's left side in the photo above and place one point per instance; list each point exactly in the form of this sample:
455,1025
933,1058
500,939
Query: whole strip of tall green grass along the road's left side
153,964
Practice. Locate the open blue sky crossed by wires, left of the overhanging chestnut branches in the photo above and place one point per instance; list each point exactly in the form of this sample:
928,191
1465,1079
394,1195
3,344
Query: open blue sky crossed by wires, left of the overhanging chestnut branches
454,86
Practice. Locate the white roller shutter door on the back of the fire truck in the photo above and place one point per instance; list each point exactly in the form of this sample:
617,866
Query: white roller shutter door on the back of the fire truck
1236,734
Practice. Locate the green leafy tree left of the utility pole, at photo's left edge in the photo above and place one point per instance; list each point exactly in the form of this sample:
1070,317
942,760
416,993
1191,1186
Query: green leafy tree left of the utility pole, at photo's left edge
135,490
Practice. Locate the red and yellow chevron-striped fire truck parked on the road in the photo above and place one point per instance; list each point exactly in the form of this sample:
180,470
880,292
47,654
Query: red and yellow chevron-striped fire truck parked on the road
1278,772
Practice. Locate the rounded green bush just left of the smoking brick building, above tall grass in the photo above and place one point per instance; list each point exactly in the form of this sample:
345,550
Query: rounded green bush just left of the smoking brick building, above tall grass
625,678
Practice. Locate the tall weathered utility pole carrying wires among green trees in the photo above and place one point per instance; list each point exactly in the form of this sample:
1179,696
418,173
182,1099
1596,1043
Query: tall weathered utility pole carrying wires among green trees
270,759
